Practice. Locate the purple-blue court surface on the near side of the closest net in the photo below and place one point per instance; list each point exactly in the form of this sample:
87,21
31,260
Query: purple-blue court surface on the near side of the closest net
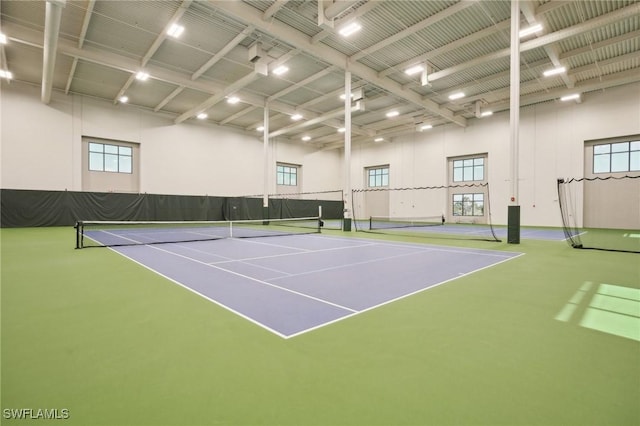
290,285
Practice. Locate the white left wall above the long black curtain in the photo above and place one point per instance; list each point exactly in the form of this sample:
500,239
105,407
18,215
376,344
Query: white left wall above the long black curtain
41,148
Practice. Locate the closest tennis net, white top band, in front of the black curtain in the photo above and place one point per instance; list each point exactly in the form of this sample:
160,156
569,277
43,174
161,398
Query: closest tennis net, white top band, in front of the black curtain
129,233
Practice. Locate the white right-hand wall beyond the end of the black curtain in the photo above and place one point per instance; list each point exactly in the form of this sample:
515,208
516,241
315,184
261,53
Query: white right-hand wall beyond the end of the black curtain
551,145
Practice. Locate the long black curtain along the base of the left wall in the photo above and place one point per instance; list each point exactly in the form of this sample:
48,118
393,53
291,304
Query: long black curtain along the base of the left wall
30,208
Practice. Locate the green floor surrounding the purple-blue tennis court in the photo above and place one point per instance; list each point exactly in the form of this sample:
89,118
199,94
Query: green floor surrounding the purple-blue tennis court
548,338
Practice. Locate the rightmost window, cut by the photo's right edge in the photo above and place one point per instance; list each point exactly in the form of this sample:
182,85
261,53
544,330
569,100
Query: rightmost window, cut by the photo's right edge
616,157
